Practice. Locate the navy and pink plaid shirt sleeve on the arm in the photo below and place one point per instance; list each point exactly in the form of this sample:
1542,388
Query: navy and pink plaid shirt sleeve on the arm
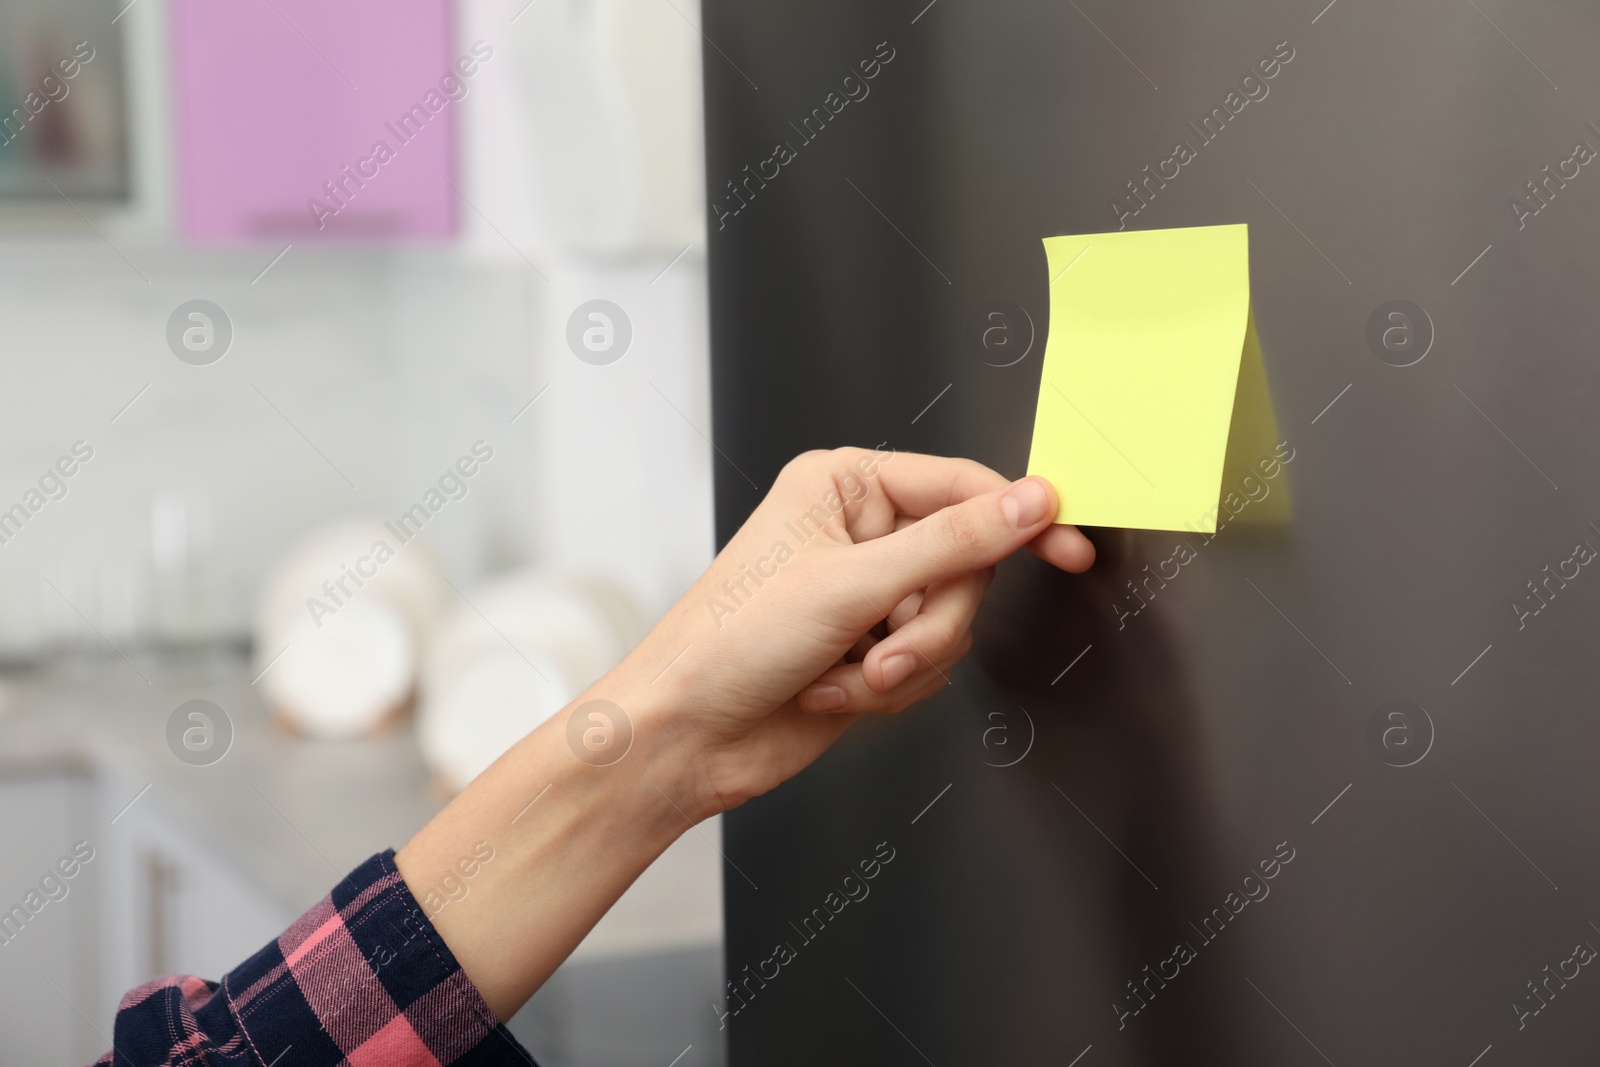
359,980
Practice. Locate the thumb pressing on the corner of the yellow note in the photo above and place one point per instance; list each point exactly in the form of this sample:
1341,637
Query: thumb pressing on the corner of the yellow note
956,540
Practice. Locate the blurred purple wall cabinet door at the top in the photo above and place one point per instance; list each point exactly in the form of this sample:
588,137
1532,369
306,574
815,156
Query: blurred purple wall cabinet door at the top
316,119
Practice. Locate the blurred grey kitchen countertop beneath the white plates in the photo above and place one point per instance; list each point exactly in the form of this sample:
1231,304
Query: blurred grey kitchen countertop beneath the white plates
295,815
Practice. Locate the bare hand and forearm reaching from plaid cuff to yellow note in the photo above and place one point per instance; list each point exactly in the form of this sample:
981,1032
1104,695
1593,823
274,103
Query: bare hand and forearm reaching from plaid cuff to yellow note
852,589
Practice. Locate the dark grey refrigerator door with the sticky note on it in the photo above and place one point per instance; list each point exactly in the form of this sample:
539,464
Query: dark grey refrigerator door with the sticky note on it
1318,789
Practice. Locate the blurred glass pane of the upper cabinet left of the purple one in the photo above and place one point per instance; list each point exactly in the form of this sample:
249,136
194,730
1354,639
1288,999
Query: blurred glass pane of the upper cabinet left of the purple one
63,102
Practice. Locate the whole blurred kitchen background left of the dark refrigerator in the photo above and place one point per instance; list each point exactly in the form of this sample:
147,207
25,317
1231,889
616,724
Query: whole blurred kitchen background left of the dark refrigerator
242,348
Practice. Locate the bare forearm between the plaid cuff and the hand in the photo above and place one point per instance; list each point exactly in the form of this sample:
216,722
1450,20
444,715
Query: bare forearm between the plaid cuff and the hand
570,831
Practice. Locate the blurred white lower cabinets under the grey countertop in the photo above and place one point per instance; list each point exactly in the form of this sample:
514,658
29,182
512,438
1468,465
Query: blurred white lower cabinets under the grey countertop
145,900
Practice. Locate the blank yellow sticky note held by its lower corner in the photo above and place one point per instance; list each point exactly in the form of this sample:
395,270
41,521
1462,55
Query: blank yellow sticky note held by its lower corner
1137,396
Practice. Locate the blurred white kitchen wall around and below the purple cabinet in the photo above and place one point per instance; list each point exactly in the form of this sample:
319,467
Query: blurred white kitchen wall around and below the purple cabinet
356,377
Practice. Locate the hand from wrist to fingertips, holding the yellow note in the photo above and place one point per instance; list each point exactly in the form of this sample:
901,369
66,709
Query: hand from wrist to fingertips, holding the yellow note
850,589
